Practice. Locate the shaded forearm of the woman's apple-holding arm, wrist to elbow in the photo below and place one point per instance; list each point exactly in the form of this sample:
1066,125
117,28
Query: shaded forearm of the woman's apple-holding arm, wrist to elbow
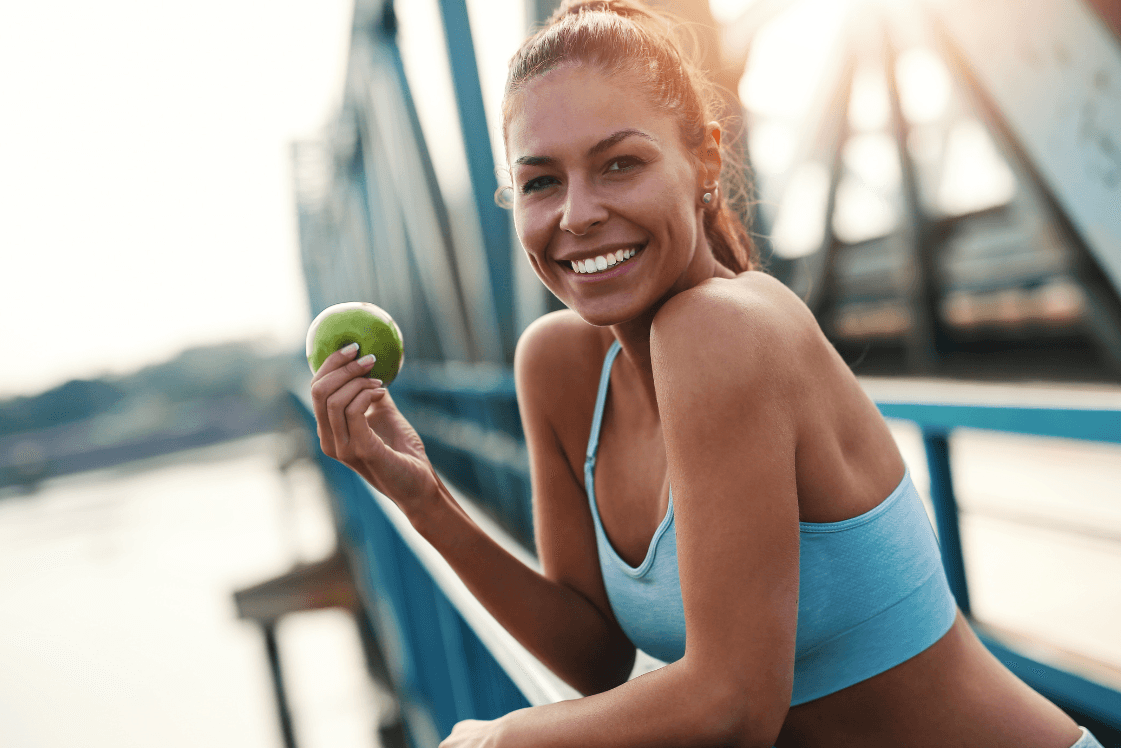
557,624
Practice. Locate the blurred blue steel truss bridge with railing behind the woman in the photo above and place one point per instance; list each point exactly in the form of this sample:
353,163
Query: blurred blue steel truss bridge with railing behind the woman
943,188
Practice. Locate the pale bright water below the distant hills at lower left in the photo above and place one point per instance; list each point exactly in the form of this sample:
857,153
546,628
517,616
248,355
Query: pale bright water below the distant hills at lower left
117,621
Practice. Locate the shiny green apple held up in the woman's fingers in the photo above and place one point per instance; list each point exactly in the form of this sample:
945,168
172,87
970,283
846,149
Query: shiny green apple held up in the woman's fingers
358,322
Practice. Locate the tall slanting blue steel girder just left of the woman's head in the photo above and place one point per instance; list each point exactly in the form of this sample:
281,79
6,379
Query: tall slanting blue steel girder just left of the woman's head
494,221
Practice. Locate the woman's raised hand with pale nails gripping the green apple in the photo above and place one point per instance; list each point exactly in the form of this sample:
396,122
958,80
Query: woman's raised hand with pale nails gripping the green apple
360,427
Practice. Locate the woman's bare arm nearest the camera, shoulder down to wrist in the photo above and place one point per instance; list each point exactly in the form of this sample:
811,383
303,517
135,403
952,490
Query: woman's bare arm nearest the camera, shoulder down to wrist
724,376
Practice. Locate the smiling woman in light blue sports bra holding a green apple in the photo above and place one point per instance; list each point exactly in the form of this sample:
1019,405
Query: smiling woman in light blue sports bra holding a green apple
791,577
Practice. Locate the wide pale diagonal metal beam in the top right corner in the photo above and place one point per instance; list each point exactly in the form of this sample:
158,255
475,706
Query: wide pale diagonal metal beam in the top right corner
1053,69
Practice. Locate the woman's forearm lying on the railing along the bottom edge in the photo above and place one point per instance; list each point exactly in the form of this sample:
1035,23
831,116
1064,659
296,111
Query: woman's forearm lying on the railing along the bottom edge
670,707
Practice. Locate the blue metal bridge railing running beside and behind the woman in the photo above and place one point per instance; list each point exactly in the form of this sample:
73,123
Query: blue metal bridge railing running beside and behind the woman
434,632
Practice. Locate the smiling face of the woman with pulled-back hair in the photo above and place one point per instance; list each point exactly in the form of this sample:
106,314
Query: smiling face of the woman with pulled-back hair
599,171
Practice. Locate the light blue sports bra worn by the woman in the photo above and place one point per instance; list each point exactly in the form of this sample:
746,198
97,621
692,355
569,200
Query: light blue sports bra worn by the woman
873,592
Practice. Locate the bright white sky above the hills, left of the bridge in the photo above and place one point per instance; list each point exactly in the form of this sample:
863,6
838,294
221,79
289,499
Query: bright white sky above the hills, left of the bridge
145,191
